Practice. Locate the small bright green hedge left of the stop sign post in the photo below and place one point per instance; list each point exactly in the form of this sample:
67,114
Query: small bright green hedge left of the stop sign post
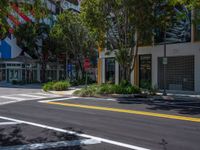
56,86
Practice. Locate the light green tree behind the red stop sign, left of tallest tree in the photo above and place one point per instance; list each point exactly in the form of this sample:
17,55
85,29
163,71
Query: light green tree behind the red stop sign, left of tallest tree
73,38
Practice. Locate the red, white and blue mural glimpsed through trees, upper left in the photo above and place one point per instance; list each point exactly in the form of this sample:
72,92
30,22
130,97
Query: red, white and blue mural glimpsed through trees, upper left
16,17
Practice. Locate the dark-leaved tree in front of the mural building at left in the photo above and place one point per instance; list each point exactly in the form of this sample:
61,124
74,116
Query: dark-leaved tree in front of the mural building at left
32,38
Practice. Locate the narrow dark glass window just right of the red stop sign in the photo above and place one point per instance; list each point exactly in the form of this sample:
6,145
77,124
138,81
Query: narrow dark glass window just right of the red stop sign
110,70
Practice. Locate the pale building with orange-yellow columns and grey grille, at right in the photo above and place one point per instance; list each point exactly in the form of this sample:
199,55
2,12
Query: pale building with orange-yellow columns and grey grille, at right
183,61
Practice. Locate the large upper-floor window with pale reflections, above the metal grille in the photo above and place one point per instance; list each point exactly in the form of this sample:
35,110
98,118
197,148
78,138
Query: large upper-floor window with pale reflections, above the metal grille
180,31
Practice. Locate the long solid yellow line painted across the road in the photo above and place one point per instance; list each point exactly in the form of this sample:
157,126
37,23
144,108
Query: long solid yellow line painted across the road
144,113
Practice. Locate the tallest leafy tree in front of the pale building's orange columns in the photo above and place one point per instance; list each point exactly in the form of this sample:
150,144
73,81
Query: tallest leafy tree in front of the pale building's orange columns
122,24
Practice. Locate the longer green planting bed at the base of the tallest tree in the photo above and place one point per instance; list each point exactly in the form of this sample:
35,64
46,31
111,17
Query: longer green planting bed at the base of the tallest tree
95,89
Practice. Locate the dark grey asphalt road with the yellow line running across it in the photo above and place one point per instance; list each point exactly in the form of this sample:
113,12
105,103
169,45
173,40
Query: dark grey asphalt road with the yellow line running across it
148,132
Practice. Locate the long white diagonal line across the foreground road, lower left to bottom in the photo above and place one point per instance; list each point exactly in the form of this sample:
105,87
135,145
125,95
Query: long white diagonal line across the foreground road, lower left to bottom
78,134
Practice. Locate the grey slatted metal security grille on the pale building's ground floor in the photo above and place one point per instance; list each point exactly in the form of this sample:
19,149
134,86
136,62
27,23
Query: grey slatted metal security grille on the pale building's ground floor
179,73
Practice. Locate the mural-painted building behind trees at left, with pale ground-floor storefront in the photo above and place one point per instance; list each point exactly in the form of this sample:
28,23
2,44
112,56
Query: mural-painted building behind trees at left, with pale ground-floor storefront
14,66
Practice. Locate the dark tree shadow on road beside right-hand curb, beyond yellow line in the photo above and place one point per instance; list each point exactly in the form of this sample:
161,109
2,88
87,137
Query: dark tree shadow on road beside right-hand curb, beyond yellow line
188,107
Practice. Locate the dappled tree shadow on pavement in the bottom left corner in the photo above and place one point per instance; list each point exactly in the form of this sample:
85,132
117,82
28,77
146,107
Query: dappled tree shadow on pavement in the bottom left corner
15,135
